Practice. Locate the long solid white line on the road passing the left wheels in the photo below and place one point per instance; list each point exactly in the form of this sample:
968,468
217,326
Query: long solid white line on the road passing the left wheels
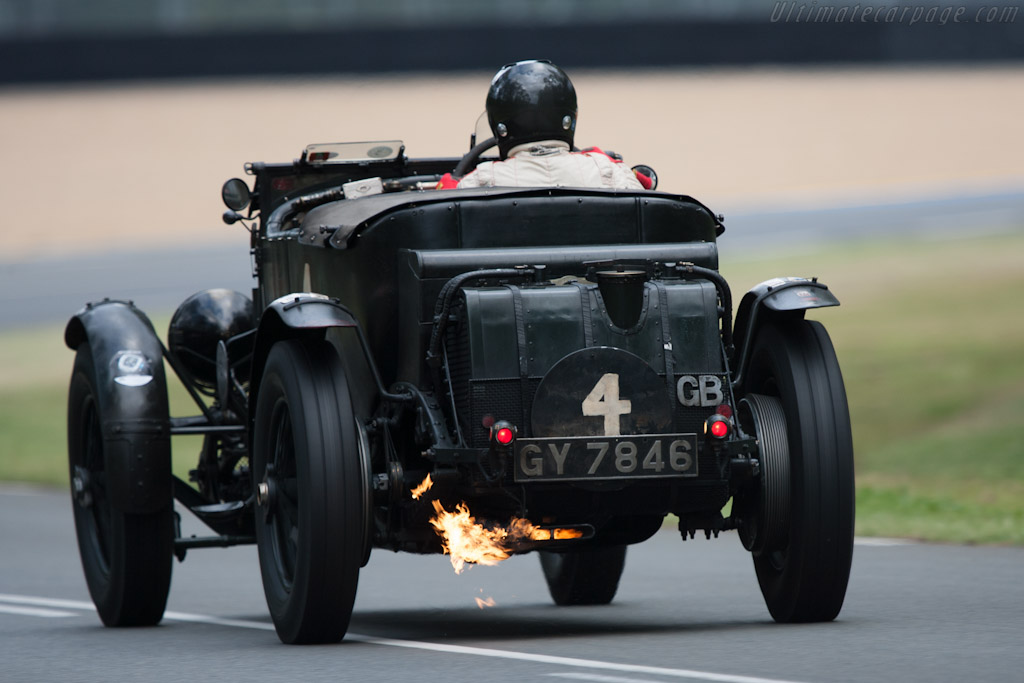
438,648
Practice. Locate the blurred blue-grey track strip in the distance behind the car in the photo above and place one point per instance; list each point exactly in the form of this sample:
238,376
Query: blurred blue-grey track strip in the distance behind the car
49,291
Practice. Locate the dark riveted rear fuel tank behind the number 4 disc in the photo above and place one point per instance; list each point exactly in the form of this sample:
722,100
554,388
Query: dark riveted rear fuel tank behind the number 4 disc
506,339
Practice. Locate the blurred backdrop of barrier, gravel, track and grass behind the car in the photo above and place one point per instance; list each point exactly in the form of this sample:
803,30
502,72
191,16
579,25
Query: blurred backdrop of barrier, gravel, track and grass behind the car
876,147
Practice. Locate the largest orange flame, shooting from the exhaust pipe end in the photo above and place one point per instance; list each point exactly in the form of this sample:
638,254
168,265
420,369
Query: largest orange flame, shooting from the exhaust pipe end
471,543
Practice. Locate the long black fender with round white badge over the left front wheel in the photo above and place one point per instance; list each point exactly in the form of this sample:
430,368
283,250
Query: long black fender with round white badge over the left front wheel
132,391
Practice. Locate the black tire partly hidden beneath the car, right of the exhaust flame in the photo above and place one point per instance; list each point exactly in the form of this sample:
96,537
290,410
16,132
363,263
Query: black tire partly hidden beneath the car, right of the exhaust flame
584,577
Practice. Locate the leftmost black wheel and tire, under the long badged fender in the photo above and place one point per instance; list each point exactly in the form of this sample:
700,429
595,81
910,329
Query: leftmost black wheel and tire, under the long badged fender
126,558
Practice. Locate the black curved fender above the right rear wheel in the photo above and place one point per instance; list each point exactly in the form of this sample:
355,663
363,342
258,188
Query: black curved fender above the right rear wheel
772,301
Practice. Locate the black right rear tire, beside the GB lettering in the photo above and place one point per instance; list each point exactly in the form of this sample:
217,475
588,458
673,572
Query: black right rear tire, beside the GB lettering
804,573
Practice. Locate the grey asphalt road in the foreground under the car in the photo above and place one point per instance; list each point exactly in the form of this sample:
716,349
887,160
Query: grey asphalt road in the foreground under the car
685,612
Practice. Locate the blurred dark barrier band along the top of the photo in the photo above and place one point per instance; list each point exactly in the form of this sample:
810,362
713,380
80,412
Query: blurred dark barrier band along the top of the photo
71,40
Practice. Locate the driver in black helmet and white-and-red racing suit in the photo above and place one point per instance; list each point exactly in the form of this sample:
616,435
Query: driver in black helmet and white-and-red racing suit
532,110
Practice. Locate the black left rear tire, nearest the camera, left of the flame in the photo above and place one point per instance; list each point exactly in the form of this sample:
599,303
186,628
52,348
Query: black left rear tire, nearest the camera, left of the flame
310,529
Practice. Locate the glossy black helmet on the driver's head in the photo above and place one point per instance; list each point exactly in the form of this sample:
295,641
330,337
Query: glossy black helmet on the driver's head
531,101
